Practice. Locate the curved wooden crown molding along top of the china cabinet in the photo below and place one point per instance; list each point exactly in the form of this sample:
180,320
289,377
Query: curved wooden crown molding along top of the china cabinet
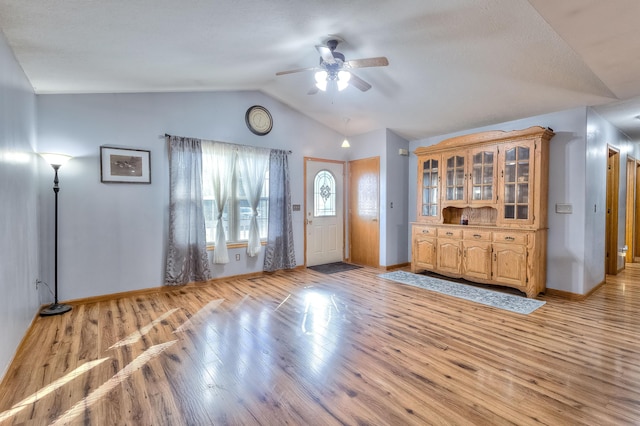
489,137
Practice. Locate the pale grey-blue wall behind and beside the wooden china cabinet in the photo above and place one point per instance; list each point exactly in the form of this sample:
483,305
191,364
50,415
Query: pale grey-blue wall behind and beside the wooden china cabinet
566,245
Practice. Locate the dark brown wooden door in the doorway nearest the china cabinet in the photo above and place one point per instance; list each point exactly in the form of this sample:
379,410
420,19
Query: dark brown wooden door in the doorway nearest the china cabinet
611,229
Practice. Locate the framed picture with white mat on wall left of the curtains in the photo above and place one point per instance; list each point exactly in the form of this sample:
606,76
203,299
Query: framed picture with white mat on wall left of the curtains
122,165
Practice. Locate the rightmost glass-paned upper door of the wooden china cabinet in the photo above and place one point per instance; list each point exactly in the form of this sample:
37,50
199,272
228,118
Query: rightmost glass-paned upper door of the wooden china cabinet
516,183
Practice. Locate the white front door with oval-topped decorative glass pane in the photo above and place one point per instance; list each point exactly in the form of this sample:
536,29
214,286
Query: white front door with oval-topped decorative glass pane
324,211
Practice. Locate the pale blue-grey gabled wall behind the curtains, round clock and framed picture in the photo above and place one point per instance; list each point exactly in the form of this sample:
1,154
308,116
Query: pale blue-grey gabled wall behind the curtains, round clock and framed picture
112,236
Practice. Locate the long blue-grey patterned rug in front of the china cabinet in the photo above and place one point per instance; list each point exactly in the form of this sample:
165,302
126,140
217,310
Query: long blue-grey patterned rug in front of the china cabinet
509,302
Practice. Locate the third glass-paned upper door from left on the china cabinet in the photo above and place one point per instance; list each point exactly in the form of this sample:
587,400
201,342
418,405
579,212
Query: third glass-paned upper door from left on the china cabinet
482,175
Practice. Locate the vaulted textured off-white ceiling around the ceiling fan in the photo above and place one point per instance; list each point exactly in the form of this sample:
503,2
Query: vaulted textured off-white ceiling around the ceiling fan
454,64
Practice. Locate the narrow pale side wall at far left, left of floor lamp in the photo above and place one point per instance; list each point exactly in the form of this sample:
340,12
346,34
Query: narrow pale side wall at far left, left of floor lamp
18,209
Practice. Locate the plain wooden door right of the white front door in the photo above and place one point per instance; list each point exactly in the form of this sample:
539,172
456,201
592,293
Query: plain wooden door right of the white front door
364,211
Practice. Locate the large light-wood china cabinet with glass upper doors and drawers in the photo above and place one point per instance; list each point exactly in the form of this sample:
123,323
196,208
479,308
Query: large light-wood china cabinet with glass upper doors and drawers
482,208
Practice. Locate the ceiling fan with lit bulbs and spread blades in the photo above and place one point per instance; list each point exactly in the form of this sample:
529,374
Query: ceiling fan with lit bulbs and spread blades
334,69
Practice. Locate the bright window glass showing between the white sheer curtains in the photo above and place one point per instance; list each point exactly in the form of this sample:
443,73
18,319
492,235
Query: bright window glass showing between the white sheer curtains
237,213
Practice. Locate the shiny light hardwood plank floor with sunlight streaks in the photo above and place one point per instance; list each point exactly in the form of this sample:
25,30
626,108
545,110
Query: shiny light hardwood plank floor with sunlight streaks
350,348
